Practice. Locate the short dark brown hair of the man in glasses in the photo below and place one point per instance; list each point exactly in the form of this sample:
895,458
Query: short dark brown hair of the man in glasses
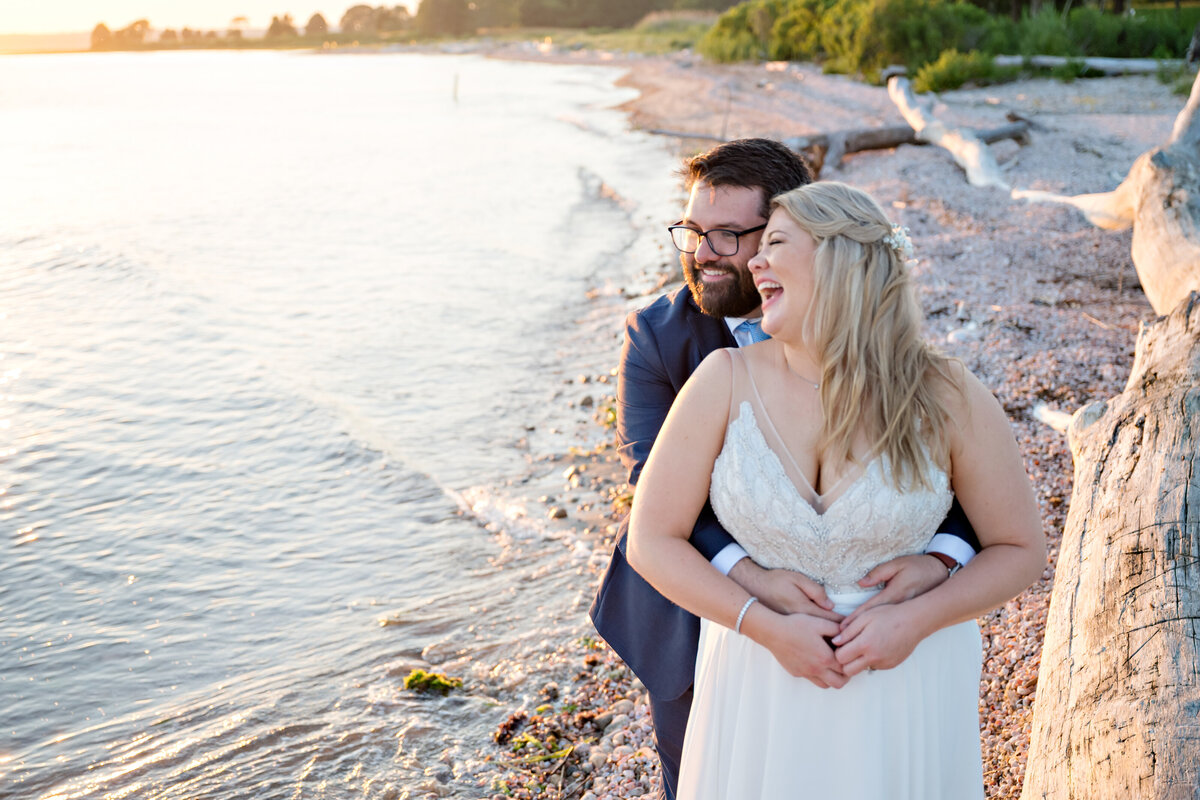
754,164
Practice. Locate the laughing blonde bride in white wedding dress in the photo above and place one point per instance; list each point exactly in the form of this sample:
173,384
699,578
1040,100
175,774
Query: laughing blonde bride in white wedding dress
830,449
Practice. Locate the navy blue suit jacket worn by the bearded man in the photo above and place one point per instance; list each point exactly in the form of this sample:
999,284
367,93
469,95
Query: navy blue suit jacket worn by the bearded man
664,345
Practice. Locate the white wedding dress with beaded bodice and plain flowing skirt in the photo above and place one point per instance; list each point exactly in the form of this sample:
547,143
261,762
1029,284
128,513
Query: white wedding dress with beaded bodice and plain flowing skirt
755,731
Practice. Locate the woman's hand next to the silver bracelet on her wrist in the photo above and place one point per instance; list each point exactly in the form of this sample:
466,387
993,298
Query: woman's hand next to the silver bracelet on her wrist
800,643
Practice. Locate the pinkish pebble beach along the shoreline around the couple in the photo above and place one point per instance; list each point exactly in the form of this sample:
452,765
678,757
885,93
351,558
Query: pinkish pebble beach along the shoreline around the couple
1042,306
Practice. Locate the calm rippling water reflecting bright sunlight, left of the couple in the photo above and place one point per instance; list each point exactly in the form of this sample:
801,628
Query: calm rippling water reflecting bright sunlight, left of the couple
267,321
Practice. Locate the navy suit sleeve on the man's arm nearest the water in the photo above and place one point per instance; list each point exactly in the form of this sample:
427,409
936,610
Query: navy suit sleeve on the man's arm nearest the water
645,394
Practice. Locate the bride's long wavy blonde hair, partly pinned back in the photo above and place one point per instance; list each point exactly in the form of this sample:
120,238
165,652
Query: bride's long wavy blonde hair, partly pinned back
878,372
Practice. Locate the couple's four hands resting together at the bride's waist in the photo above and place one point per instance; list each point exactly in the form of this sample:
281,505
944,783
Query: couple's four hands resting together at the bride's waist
812,641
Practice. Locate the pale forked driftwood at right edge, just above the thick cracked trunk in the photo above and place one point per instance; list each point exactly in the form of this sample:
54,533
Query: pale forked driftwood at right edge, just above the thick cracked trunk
1161,200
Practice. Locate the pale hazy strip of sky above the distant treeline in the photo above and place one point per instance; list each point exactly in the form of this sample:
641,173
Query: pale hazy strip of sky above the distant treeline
68,16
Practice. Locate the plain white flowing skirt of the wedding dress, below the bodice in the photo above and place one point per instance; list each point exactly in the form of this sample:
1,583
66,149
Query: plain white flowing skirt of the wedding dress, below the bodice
758,733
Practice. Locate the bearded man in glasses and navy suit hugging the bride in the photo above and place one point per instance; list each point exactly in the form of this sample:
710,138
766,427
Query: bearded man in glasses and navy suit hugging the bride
730,190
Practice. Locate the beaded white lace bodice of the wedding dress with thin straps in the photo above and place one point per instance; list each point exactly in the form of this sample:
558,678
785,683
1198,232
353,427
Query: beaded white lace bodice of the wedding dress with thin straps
868,524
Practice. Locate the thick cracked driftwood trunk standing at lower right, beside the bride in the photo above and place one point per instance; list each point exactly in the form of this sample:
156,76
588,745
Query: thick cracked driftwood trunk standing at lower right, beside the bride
1118,711
